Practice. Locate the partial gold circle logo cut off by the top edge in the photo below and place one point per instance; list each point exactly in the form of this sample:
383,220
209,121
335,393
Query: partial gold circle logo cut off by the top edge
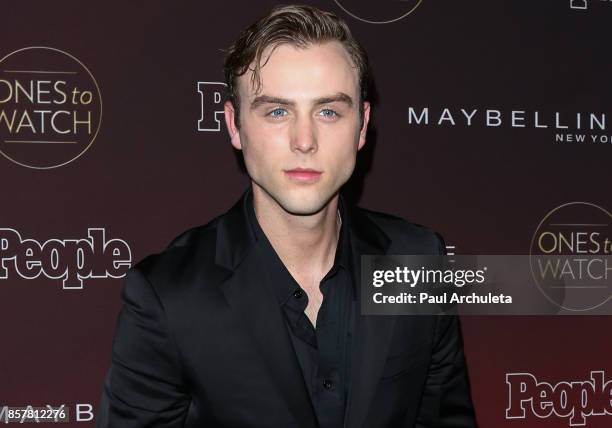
379,12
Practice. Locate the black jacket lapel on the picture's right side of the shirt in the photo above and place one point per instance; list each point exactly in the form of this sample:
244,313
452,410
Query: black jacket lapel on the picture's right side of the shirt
373,333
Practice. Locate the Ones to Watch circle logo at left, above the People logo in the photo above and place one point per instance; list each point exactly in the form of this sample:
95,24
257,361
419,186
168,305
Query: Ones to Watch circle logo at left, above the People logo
50,107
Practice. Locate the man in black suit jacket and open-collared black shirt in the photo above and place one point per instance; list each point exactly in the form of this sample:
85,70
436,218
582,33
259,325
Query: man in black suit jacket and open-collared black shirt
253,320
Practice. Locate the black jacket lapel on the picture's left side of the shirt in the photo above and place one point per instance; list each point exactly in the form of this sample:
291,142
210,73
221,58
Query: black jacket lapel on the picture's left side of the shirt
256,306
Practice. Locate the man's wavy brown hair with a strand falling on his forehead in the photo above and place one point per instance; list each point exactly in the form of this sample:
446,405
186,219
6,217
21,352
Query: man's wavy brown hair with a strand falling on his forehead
300,26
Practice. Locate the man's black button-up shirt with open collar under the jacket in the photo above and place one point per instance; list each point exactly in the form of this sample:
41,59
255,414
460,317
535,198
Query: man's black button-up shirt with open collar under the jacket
324,352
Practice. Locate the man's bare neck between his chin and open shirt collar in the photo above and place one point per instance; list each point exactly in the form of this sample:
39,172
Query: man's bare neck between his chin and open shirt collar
305,243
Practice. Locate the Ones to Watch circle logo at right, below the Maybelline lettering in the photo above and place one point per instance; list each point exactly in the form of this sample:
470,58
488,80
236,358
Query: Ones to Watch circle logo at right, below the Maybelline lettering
568,240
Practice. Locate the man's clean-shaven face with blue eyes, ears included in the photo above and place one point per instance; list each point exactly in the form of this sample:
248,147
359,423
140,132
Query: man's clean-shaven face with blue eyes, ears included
301,132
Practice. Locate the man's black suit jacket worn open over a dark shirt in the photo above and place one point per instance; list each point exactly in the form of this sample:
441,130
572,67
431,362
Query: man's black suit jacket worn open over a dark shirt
201,342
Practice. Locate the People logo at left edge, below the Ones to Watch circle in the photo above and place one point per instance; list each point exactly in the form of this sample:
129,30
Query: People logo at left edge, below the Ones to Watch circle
71,260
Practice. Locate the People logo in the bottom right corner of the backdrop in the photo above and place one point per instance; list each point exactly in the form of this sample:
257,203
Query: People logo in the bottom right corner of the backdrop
573,400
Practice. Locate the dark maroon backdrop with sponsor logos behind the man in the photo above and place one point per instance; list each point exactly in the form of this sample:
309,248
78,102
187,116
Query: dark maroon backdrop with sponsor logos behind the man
492,126
